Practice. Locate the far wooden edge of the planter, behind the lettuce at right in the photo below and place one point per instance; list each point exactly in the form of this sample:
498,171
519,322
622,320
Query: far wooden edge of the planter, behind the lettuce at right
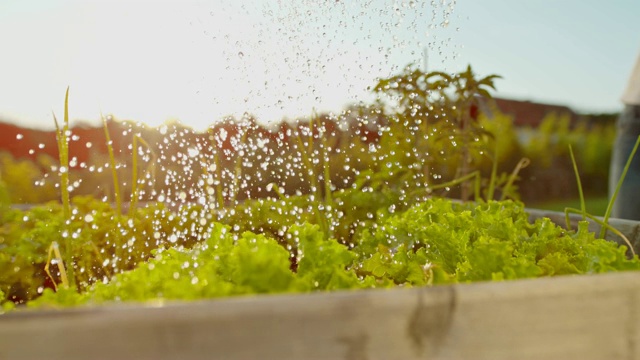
629,228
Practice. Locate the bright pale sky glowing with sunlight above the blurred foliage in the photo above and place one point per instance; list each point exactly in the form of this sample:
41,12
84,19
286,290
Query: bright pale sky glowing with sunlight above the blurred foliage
198,61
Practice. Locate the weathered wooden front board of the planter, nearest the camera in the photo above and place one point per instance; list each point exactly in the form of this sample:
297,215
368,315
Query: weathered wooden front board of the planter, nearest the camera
572,317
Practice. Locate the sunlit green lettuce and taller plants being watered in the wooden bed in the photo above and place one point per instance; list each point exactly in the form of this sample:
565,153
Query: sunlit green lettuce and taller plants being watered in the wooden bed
393,221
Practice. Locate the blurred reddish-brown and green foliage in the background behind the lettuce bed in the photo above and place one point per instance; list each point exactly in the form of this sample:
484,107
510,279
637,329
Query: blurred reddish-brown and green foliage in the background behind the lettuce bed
425,129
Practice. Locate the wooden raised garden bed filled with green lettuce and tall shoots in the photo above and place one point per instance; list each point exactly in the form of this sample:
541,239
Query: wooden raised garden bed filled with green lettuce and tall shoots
385,231
